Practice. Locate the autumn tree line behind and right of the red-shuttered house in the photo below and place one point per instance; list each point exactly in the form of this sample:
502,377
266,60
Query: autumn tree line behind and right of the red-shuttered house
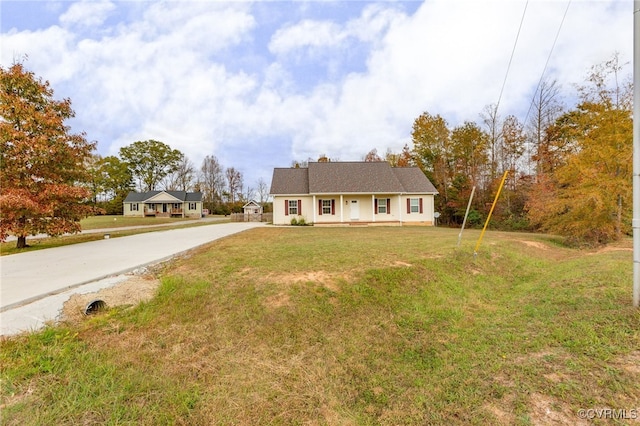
569,170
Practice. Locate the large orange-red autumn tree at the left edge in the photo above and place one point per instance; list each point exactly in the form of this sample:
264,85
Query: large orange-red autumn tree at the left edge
42,164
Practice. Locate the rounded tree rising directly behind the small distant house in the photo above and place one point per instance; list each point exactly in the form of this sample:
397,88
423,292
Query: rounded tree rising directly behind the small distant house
150,161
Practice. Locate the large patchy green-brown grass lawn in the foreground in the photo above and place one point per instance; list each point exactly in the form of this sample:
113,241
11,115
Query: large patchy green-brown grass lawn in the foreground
289,325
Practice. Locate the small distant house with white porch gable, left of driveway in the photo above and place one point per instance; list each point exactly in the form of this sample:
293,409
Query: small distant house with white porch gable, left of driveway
163,204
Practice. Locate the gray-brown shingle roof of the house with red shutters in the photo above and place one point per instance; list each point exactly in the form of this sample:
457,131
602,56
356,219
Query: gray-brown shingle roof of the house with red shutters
350,178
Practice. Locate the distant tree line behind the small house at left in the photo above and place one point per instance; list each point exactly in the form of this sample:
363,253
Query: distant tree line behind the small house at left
153,165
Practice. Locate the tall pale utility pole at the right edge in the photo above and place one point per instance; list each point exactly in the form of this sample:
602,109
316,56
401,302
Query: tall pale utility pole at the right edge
636,153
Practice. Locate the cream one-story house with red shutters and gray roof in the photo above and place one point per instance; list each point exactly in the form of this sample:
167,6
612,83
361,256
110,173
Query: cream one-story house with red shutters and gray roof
373,193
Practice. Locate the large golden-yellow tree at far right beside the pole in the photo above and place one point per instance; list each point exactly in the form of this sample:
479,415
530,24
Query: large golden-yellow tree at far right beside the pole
587,197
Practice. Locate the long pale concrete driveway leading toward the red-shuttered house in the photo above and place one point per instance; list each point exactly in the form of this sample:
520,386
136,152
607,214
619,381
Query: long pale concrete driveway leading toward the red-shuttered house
29,280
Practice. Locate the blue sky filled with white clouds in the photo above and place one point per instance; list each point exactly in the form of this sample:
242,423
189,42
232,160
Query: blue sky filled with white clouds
260,84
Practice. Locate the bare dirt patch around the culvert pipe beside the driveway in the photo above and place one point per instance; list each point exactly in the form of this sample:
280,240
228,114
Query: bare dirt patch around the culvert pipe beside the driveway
132,291
